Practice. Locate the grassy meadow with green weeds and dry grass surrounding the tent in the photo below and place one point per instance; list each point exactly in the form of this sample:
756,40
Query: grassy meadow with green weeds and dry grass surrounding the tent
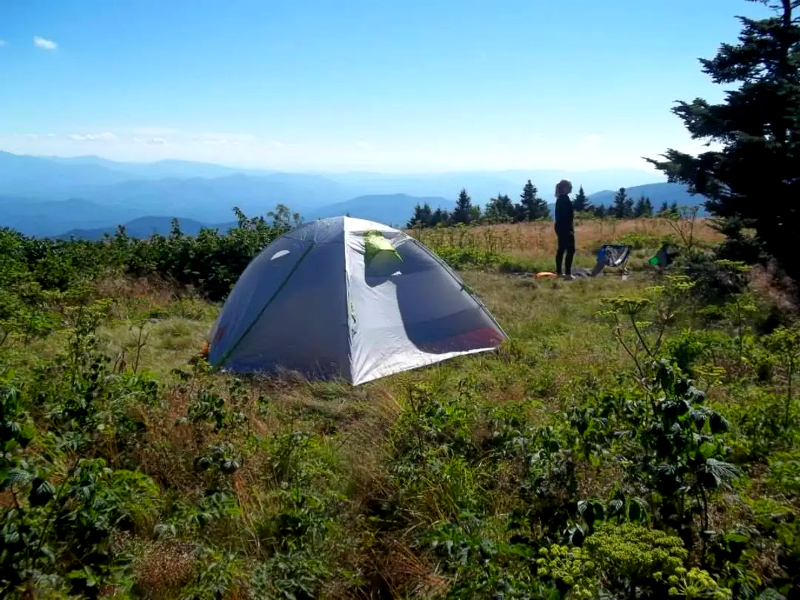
633,438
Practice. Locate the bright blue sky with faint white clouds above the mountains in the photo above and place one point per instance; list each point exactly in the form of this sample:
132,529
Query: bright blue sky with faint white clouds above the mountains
356,84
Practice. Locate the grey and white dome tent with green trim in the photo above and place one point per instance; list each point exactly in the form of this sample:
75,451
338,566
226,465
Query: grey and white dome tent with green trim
348,298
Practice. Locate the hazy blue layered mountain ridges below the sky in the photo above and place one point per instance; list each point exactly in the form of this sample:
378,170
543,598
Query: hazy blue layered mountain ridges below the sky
47,196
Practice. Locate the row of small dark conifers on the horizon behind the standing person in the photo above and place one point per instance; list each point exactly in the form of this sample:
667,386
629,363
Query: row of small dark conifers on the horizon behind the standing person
530,207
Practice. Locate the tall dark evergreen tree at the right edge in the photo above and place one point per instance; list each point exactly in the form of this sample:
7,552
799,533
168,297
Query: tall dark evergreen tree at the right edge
749,180
